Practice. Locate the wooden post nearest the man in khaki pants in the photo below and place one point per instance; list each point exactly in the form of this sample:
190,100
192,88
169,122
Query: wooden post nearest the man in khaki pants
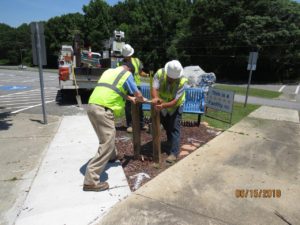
136,129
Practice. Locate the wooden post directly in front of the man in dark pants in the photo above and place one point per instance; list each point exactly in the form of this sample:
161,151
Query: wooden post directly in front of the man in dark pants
156,135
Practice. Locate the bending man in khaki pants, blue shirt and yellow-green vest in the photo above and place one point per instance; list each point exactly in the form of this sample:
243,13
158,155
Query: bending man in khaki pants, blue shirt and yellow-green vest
105,104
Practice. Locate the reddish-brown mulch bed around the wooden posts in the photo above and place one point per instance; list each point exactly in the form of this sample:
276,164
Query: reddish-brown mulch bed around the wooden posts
190,134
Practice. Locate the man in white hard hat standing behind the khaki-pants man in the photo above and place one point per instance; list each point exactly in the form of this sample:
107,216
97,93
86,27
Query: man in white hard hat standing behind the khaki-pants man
127,52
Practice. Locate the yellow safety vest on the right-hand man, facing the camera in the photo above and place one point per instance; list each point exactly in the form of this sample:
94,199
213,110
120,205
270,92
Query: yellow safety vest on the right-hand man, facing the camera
167,92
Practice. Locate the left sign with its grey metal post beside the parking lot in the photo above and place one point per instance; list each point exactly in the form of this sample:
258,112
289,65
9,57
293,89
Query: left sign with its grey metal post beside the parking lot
39,56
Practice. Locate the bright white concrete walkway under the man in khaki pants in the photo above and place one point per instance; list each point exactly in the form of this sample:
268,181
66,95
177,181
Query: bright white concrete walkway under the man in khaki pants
56,195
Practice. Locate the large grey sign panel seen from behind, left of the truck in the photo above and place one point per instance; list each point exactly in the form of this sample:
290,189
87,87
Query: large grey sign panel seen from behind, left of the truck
38,43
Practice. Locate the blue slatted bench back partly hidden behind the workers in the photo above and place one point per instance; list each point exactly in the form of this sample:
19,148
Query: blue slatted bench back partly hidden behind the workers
194,100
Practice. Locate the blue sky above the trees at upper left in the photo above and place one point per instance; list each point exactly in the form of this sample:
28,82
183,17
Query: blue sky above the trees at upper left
16,12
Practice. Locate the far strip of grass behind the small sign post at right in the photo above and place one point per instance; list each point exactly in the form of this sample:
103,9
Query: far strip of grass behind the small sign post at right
252,91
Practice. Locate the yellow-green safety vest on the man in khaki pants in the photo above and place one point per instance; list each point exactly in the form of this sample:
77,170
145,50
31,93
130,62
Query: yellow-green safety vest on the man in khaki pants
110,92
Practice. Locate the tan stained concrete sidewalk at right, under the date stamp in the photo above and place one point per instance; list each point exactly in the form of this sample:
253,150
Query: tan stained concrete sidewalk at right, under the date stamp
262,152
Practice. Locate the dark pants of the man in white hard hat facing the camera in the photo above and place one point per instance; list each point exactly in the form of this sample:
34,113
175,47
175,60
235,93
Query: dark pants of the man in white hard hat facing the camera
172,126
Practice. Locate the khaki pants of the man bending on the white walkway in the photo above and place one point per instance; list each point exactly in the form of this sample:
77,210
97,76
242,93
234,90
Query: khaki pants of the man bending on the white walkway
103,122
